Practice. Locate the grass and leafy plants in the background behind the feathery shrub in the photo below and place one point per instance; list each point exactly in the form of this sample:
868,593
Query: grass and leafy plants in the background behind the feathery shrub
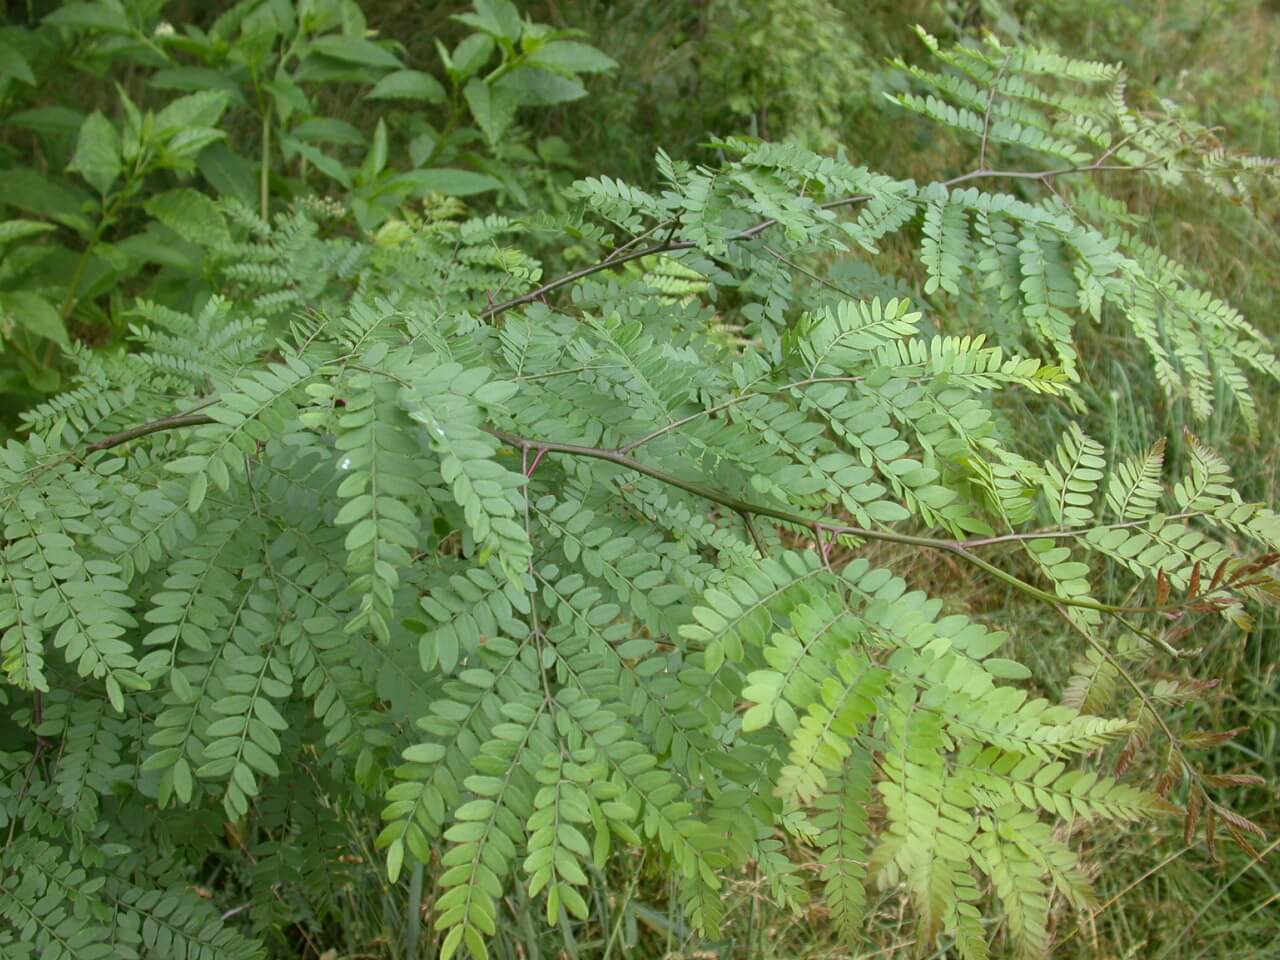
444,111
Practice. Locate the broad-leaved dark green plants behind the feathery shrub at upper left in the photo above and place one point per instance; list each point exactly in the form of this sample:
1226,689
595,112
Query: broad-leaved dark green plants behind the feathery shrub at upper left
236,107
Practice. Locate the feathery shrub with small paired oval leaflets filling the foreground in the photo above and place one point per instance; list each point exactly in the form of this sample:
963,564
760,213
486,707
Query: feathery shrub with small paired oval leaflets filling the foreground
540,575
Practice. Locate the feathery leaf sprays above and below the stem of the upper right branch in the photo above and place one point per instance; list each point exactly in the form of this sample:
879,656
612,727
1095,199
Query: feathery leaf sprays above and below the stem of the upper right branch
1053,268
